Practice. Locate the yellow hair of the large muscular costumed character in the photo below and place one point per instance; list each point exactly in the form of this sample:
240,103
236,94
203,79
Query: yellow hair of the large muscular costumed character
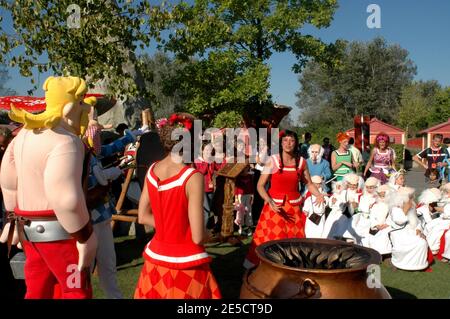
59,91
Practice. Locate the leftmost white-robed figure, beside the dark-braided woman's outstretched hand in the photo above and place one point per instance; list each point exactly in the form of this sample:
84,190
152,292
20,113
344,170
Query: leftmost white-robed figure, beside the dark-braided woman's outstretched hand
315,214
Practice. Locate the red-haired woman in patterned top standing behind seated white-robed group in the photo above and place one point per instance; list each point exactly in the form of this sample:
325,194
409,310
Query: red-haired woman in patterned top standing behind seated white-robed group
382,158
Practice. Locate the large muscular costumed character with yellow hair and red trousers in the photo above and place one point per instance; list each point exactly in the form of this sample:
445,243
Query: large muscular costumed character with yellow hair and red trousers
41,180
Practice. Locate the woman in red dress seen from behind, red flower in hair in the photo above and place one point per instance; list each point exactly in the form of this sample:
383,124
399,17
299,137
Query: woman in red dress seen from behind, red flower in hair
176,264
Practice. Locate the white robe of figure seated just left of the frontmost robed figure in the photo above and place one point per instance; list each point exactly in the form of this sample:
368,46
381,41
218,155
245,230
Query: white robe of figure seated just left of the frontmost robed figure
379,215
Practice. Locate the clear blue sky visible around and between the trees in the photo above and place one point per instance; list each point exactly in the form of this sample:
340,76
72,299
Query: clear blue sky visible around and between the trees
421,27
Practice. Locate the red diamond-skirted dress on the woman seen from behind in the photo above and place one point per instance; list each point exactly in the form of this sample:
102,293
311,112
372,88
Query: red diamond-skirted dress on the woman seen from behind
175,267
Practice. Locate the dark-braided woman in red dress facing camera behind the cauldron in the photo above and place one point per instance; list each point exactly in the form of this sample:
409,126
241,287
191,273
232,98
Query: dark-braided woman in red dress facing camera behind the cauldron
282,216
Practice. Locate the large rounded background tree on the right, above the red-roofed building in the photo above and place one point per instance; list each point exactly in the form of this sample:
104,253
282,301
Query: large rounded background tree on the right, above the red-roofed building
368,81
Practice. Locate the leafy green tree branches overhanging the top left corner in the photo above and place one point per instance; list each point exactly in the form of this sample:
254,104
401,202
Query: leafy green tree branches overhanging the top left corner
98,45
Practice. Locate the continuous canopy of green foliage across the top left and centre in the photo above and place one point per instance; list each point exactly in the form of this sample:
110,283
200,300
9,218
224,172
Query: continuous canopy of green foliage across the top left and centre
222,46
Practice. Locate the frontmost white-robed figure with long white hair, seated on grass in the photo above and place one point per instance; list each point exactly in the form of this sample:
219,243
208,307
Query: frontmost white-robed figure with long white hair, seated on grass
409,246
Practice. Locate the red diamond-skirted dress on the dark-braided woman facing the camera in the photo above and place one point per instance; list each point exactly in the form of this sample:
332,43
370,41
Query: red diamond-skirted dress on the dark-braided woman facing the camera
290,223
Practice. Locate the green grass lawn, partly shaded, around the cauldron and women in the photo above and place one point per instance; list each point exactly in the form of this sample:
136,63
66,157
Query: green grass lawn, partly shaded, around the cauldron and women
228,270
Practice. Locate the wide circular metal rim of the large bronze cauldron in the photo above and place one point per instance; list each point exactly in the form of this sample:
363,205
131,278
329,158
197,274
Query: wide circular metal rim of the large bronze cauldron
375,257
